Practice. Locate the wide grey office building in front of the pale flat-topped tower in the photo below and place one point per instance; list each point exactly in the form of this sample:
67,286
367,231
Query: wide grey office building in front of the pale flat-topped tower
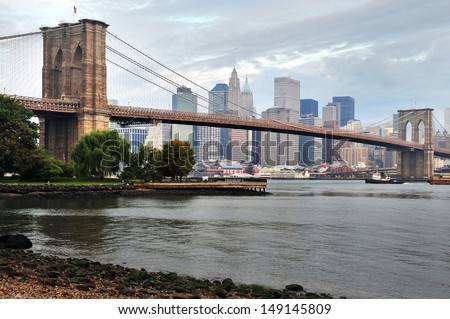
279,148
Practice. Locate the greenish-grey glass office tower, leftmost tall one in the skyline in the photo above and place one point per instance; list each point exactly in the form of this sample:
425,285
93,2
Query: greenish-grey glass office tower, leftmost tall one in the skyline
184,101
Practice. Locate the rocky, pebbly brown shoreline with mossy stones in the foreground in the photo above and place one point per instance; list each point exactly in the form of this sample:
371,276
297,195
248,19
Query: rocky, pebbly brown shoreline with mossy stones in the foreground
25,274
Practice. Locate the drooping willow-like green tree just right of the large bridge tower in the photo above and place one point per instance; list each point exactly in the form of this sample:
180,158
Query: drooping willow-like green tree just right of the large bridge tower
100,153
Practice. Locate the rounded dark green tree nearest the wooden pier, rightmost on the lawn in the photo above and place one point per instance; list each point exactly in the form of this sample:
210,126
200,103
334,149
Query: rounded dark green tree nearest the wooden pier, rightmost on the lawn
177,159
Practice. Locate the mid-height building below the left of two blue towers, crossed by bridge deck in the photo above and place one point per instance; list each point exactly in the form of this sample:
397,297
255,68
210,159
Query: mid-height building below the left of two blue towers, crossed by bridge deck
310,147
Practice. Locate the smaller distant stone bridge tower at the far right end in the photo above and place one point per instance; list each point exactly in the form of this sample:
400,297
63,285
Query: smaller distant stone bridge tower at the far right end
415,165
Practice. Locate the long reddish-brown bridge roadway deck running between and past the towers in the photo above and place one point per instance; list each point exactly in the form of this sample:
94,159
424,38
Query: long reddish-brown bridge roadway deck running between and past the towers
137,114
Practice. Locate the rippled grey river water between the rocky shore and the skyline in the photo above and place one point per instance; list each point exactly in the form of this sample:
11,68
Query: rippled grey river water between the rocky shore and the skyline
346,238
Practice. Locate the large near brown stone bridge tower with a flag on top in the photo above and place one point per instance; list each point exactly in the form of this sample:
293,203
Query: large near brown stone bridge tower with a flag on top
74,69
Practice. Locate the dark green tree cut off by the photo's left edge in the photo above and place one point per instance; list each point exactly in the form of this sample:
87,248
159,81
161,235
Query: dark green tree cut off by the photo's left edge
18,134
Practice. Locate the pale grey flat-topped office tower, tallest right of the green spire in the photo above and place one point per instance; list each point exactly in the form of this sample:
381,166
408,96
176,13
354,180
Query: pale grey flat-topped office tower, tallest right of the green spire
287,93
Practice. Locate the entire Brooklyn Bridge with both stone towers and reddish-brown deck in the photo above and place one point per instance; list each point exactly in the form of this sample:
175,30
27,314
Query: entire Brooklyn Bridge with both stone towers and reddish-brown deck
74,102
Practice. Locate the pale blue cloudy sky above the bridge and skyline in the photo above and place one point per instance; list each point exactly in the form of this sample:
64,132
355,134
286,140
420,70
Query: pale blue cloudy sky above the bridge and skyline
386,54
